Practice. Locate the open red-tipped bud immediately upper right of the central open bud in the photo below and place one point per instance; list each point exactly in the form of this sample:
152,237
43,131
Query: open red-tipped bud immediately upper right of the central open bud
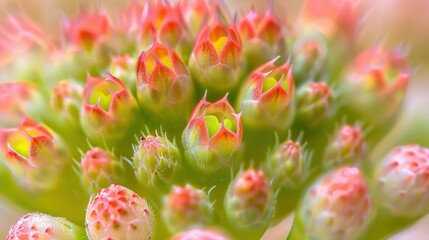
266,97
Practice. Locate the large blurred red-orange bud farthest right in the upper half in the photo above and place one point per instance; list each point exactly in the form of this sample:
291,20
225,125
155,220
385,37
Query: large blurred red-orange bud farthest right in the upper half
379,78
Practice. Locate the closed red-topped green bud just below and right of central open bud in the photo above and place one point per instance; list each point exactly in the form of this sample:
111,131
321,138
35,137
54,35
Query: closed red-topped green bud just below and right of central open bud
248,202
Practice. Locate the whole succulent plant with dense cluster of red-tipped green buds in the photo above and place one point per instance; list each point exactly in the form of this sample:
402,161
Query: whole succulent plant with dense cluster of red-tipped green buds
181,121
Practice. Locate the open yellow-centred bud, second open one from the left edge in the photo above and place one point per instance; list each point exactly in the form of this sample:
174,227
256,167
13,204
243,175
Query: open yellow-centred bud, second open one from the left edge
107,108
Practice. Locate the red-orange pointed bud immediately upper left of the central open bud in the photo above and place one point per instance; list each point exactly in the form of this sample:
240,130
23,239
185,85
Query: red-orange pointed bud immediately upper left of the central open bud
163,81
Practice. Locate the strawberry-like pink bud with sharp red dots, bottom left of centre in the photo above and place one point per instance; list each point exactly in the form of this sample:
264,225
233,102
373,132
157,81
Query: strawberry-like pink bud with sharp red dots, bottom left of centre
118,213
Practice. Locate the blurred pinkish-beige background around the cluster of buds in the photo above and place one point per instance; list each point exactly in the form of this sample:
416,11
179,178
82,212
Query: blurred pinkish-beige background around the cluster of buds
390,22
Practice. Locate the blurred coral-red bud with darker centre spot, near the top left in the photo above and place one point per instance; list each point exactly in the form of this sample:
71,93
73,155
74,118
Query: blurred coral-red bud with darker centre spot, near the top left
86,29
